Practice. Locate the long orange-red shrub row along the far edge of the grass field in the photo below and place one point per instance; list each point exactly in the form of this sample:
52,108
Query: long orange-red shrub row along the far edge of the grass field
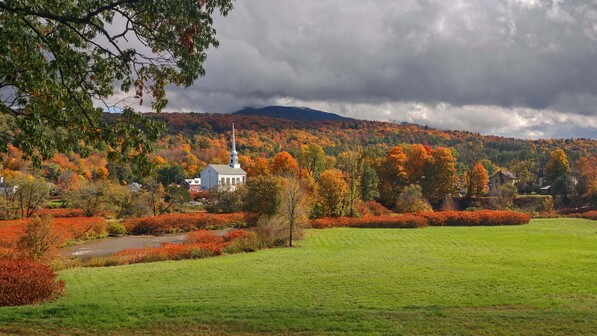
422,219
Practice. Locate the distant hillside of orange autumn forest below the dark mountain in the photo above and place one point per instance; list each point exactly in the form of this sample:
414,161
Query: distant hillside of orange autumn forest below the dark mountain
265,136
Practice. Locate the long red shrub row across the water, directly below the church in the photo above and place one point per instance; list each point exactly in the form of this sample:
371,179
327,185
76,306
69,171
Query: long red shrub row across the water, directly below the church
175,222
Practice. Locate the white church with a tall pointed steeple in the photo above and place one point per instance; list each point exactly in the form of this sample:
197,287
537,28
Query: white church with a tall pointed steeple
224,177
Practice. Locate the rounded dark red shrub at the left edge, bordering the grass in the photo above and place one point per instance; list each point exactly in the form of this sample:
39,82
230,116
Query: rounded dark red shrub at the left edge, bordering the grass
27,282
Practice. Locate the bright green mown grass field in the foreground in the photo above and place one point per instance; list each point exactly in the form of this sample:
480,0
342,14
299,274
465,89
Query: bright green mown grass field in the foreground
536,279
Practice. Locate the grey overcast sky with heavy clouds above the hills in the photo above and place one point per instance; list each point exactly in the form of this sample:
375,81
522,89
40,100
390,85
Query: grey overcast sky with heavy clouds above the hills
523,68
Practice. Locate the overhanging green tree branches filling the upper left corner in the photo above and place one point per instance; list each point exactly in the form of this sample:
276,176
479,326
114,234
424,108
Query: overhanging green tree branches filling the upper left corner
59,57
